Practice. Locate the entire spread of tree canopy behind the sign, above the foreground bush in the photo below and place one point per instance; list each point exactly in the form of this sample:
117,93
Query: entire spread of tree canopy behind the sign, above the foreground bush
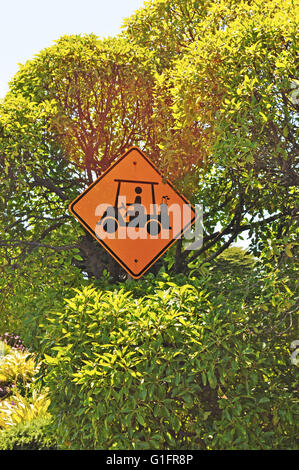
204,87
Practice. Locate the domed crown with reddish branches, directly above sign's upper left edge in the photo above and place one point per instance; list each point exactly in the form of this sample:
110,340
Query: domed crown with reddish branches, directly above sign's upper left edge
91,89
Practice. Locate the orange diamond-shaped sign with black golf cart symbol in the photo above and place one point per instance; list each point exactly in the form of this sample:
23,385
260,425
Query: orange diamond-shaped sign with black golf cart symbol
133,212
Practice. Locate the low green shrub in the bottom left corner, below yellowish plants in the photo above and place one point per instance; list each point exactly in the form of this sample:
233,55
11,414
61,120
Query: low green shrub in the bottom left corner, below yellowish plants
28,436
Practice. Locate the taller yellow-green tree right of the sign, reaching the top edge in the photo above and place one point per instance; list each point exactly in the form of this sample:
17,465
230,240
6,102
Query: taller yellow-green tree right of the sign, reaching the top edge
225,90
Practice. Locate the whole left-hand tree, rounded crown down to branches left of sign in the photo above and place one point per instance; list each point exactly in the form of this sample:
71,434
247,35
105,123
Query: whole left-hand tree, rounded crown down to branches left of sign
70,111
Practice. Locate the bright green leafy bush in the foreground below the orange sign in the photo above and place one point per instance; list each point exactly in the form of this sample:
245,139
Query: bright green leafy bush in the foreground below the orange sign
173,370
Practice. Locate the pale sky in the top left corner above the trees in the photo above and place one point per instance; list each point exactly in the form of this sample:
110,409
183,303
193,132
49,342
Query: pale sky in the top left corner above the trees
27,26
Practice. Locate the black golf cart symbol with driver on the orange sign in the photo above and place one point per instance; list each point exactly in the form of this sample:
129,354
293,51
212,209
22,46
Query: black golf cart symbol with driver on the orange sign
135,213
